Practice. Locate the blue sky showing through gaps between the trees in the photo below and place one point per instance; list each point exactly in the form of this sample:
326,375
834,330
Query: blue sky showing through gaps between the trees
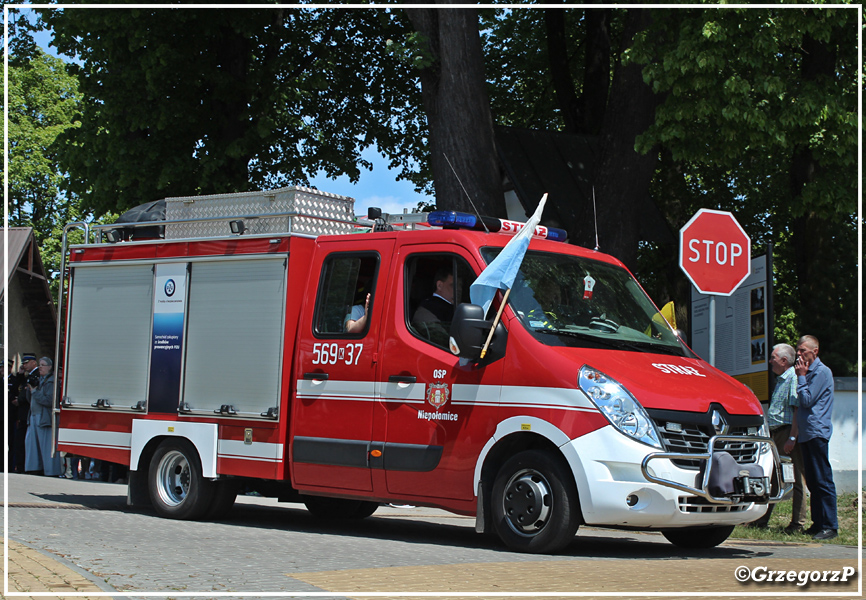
377,187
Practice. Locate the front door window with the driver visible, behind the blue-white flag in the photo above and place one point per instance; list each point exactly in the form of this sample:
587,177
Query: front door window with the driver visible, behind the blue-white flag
435,283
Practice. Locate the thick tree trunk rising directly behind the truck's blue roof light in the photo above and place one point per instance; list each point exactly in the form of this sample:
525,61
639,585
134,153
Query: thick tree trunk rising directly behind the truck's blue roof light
458,112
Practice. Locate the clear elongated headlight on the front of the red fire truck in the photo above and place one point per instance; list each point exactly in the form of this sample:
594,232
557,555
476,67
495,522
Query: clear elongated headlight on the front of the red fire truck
616,403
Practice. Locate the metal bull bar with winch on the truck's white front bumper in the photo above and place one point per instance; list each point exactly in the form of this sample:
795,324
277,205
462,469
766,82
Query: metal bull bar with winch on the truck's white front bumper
744,485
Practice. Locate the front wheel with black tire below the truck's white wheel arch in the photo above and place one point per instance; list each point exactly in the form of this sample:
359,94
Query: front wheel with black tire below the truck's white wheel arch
534,503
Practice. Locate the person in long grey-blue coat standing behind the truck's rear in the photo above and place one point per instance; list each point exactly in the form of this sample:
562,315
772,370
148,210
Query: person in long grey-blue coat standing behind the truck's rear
40,441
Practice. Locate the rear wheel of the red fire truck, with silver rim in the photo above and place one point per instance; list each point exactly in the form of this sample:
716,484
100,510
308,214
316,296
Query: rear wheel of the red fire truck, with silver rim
175,482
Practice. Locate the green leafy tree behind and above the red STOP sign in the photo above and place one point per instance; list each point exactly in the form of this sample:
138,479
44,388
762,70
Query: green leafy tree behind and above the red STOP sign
760,119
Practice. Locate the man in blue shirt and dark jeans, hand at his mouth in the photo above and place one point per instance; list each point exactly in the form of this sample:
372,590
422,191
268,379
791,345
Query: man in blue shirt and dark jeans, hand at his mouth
815,397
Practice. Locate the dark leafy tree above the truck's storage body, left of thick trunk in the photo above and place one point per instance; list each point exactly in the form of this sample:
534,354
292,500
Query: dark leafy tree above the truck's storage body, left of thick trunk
200,101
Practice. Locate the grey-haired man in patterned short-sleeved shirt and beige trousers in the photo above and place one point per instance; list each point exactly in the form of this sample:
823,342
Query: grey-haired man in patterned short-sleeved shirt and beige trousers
781,419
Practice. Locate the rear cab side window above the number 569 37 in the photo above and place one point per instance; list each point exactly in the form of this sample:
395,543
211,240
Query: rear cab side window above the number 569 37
346,281
